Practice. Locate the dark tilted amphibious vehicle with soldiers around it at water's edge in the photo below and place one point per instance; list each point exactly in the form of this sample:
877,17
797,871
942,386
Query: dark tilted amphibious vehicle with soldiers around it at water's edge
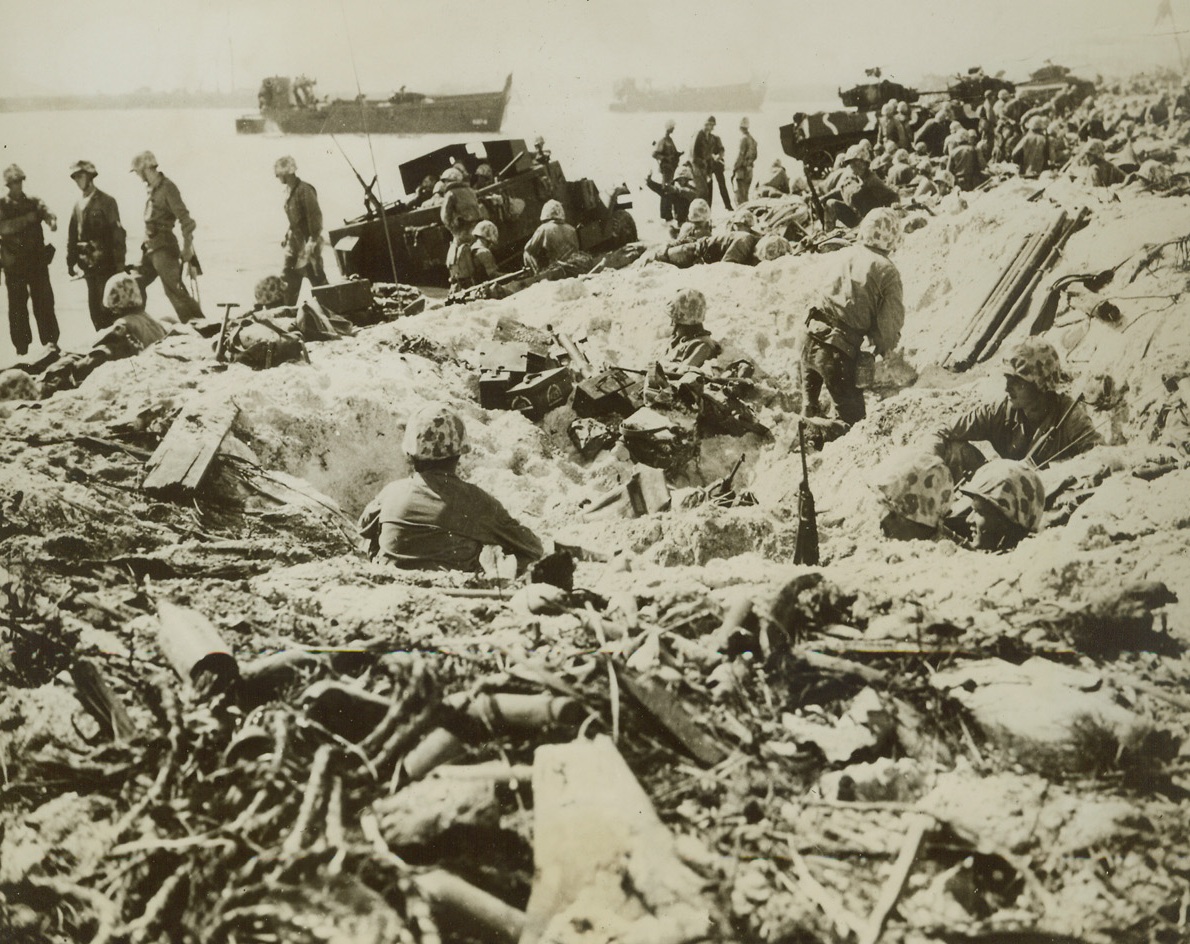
418,240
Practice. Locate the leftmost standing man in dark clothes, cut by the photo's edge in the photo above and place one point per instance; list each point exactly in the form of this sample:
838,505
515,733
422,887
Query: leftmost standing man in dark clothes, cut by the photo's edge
26,259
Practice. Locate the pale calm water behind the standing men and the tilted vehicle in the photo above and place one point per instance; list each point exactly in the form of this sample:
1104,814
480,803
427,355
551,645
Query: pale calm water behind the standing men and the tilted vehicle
228,183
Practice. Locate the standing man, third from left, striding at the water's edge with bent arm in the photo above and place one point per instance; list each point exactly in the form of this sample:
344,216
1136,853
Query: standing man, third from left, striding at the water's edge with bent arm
161,255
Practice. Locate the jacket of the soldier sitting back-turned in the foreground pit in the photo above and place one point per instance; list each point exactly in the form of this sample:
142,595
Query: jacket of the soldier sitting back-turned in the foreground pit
435,521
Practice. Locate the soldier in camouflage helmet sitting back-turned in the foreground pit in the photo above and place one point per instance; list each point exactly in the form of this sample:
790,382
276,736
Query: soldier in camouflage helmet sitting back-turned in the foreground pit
435,521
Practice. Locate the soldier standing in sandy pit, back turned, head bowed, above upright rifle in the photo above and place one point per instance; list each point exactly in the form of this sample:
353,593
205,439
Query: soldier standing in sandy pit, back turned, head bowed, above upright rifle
862,301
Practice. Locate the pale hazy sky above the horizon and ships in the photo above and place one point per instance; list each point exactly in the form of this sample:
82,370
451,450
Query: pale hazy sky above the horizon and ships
563,46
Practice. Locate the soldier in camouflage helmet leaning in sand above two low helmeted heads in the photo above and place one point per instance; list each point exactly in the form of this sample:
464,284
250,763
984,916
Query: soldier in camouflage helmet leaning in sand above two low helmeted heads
1034,421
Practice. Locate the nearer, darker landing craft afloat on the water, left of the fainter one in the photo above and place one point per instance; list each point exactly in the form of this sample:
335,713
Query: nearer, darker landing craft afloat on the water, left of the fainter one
291,107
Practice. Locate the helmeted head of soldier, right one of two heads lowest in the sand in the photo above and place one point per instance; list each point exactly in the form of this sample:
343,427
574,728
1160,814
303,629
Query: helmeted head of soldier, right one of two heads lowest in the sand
1009,502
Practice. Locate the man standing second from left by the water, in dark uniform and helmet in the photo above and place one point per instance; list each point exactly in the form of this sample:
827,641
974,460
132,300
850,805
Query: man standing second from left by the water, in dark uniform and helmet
96,241
